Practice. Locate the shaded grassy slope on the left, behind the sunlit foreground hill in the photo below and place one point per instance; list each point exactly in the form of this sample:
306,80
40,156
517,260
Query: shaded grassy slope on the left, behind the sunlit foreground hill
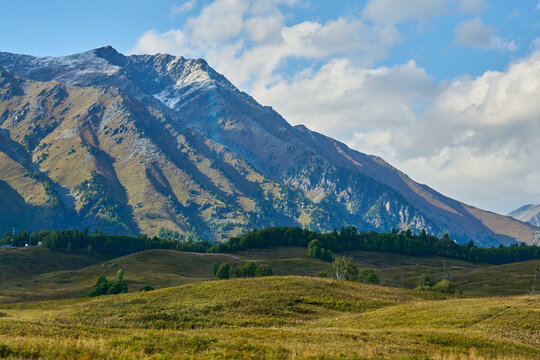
158,268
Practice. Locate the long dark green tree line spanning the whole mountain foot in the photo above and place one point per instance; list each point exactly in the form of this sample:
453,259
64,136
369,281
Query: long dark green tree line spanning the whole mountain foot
320,245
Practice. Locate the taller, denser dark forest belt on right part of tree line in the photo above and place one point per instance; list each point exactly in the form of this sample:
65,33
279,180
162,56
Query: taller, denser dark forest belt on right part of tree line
401,242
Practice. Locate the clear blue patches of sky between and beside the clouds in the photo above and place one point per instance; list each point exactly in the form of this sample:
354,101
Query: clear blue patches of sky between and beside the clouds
62,27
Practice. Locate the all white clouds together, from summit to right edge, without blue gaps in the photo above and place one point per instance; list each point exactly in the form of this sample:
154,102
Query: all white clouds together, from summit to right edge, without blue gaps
471,138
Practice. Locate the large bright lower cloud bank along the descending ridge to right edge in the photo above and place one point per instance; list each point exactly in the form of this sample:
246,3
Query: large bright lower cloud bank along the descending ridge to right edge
476,138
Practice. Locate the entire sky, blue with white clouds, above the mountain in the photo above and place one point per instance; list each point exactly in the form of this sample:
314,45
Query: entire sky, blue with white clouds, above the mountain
445,90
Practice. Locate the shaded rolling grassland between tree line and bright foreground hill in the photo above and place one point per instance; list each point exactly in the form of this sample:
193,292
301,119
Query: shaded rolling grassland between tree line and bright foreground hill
36,273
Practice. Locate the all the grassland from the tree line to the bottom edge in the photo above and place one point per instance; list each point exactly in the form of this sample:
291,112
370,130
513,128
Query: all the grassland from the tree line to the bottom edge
46,312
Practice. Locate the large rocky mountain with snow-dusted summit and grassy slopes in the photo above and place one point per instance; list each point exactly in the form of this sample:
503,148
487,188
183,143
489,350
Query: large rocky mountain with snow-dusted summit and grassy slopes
131,144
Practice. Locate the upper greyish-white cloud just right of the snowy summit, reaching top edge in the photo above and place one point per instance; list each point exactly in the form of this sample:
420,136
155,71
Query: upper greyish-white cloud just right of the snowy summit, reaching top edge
249,40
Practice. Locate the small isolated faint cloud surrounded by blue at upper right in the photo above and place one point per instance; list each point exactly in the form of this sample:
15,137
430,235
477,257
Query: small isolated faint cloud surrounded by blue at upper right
474,33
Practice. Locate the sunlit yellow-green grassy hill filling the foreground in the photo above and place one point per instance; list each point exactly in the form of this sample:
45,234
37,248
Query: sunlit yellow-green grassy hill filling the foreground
274,318
